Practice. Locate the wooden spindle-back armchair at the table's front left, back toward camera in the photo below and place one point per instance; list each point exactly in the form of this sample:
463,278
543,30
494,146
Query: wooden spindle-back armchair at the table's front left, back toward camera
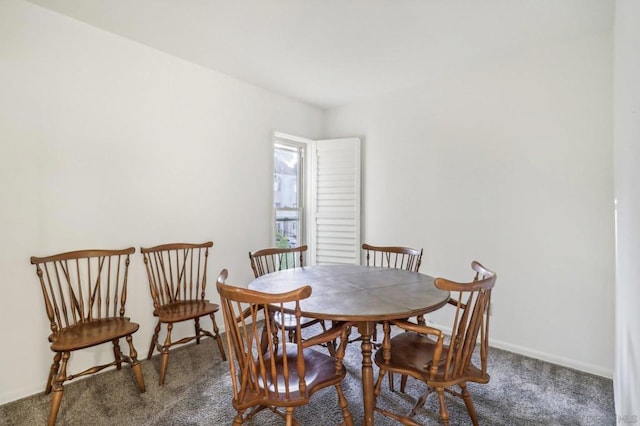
266,375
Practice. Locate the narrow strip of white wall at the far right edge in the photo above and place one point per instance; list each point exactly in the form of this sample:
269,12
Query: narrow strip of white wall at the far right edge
627,192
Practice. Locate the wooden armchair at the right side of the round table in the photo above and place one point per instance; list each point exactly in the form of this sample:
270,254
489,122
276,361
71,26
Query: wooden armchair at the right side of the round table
421,351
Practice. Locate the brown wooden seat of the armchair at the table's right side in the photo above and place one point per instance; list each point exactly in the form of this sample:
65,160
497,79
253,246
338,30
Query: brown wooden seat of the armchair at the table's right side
412,353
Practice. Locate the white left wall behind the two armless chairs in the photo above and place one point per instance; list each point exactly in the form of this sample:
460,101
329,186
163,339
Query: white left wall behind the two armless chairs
105,143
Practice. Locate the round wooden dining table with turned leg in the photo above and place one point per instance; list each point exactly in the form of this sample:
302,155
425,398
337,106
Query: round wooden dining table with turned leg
364,295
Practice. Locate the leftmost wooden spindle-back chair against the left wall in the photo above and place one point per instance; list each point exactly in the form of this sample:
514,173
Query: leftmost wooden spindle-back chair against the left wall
85,294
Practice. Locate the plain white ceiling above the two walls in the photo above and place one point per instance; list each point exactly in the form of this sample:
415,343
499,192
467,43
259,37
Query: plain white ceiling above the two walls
333,52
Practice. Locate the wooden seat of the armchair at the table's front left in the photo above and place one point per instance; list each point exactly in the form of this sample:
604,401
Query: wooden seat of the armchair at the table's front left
320,372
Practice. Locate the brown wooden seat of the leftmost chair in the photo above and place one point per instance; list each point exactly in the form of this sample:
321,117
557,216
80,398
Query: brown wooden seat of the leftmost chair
86,334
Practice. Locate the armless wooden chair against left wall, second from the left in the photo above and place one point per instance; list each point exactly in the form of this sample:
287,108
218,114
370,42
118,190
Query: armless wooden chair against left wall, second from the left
177,276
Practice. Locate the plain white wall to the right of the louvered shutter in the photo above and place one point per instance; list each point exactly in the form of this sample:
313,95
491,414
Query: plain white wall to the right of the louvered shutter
508,163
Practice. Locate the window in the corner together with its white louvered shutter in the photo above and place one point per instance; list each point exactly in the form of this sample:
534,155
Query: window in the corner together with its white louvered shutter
316,197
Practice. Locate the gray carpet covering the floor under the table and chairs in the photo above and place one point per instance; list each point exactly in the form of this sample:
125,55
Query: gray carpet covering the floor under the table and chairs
197,391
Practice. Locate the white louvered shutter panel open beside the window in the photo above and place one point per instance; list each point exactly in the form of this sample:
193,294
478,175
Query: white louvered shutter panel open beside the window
334,225
